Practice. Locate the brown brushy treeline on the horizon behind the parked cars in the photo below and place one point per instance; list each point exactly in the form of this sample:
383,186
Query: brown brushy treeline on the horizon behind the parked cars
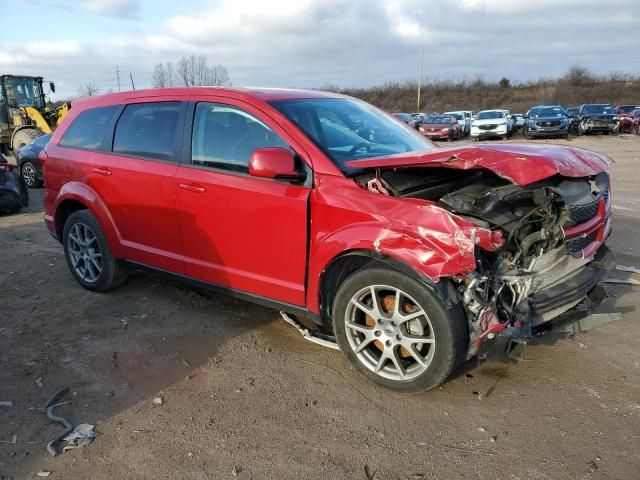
576,87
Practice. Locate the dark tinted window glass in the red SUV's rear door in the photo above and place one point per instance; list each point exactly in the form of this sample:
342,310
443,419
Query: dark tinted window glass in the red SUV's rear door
148,130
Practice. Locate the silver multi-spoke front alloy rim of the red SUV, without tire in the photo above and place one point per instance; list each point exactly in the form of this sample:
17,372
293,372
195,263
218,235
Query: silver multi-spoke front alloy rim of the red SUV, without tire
389,332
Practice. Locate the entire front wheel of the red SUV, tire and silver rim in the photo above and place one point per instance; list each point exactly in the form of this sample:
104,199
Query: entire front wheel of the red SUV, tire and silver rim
375,348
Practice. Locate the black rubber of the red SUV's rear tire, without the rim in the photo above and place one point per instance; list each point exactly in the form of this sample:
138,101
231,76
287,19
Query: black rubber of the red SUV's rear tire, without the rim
113,274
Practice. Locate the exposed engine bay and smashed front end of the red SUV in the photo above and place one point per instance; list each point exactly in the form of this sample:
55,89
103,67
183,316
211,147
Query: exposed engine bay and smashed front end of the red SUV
553,257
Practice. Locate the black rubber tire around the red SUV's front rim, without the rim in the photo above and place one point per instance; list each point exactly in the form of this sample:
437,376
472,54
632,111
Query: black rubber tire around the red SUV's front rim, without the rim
449,327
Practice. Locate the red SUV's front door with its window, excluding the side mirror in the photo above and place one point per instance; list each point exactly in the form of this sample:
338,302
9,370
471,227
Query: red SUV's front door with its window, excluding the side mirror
240,231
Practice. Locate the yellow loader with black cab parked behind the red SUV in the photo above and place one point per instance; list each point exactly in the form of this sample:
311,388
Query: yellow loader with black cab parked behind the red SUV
25,113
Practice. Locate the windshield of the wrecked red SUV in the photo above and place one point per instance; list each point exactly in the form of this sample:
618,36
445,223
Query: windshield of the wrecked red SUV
347,130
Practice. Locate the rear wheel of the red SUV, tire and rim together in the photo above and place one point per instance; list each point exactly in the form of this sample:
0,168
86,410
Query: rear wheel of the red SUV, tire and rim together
105,273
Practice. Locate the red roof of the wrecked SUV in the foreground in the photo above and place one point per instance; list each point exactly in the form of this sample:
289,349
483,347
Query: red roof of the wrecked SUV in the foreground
264,94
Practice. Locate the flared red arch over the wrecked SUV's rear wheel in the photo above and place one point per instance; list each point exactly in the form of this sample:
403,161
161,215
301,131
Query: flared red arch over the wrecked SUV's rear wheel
82,193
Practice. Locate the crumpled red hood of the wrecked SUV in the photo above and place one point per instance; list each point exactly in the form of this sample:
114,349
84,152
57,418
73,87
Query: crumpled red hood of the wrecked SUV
521,164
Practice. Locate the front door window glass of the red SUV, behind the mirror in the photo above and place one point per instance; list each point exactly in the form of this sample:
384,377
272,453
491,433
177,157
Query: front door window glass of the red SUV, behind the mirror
225,137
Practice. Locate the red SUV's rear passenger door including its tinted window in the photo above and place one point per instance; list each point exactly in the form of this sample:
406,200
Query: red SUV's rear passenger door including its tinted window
135,178
